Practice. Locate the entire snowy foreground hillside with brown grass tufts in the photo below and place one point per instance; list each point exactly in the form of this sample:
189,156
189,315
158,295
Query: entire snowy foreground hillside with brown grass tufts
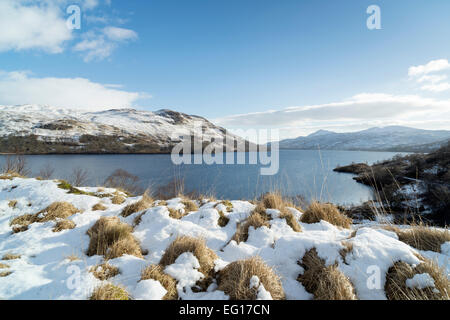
56,243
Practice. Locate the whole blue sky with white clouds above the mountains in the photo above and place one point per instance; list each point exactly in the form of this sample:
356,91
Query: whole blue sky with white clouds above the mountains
293,65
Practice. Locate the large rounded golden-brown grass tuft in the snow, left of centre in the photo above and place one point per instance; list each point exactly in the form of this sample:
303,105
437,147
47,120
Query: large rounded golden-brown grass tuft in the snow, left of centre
112,238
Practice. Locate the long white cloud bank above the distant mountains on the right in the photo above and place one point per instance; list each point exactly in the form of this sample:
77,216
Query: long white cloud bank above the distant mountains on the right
359,112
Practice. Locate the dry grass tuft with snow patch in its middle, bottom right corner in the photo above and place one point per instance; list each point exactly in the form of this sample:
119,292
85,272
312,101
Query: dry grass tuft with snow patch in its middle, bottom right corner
400,272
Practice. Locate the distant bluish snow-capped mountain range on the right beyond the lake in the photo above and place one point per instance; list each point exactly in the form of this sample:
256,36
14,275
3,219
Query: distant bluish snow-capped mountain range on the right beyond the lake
393,138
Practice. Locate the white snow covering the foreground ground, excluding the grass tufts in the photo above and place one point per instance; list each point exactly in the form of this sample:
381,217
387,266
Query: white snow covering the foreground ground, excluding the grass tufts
47,270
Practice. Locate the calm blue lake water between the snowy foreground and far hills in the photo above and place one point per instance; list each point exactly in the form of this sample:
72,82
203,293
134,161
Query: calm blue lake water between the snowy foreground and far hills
302,172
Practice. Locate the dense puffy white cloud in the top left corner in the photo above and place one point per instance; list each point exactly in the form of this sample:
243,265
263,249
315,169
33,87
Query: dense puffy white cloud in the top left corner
32,26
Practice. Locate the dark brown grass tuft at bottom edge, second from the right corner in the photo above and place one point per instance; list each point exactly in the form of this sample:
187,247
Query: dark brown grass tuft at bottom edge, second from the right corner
325,283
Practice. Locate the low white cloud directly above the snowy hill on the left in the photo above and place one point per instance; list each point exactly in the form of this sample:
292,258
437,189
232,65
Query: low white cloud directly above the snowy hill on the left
79,93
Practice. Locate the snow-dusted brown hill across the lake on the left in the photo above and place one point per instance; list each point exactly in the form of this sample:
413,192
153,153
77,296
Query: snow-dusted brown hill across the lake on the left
44,129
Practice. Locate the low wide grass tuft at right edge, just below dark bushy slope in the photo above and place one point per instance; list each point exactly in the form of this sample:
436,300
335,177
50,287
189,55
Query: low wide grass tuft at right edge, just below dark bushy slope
422,237
